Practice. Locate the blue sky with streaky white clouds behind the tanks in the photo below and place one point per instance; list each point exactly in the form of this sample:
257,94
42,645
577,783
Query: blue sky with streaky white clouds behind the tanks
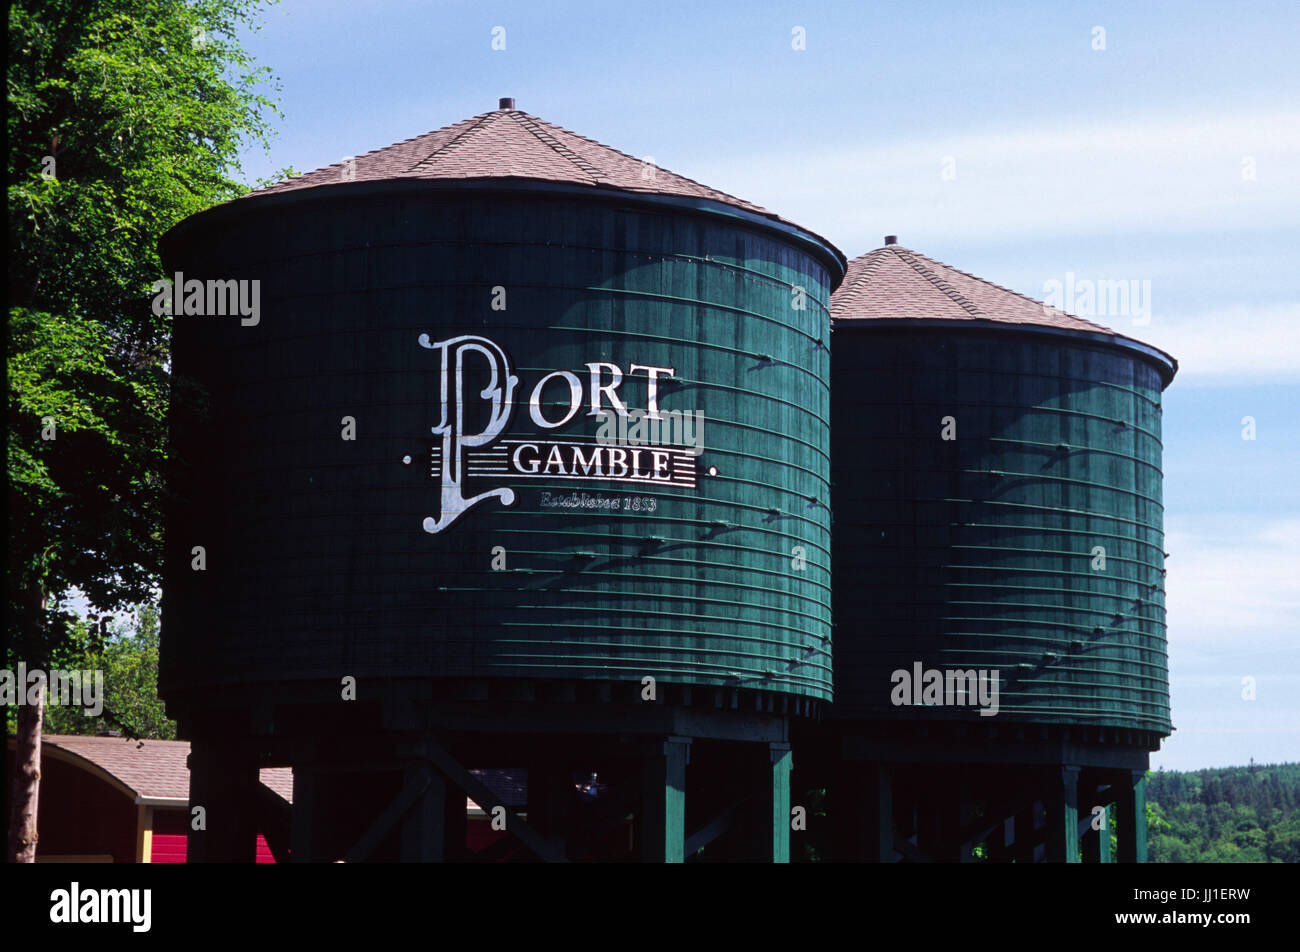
1172,157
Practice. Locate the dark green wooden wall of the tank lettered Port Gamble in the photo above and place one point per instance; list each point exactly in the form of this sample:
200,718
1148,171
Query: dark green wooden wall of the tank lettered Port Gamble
318,564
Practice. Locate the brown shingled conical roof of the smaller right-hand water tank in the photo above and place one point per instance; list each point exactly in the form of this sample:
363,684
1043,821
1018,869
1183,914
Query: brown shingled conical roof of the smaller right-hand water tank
896,283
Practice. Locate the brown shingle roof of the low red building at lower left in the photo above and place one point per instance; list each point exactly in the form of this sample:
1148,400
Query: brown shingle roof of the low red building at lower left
153,768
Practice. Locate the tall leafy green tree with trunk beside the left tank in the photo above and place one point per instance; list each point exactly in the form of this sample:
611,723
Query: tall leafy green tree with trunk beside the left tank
125,116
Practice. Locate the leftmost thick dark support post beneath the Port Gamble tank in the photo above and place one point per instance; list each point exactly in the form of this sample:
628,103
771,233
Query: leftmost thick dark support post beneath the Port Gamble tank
224,785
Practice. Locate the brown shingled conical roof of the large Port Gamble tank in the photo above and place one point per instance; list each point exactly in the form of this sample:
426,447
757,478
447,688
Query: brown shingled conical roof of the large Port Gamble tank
509,144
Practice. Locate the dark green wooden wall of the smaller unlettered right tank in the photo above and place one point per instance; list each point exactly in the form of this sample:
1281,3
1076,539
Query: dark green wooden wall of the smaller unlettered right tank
978,553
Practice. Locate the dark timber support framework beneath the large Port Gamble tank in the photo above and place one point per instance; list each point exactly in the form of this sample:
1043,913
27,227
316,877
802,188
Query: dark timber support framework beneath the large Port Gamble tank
705,769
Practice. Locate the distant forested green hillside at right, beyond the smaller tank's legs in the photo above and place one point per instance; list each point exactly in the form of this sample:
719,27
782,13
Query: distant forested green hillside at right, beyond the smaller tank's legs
1233,815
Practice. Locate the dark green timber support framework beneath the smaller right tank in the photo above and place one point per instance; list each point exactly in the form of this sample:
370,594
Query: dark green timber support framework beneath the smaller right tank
933,793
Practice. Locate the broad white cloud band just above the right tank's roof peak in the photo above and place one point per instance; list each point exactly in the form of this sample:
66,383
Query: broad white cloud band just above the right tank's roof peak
1078,179
